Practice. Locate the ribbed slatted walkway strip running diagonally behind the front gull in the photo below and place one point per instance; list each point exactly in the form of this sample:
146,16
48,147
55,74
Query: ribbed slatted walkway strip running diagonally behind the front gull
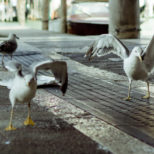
101,99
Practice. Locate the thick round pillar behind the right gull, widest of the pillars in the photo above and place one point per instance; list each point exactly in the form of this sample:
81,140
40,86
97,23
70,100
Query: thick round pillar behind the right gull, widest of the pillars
124,18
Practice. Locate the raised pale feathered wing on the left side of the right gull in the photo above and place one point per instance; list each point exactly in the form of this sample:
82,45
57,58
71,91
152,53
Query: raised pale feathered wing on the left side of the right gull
106,44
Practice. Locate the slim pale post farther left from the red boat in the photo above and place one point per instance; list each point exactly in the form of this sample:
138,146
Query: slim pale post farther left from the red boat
45,15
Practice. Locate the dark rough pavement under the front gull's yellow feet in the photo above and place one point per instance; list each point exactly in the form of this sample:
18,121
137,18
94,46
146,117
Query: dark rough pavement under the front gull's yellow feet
49,135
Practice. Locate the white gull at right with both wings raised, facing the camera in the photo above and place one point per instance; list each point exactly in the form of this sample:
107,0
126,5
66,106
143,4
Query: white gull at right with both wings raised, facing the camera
137,64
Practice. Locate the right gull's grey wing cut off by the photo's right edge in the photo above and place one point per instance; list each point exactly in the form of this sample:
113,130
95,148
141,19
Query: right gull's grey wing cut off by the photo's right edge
148,55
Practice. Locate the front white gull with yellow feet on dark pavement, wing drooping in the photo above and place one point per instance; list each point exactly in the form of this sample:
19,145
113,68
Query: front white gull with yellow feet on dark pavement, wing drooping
24,86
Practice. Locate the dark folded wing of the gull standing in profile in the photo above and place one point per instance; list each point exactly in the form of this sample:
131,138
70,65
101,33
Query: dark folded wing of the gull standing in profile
8,46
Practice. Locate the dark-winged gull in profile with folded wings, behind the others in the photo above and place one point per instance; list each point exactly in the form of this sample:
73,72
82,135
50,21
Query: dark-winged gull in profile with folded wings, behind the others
9,46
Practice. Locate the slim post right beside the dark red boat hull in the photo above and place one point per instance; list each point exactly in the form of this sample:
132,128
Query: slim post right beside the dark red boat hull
63,16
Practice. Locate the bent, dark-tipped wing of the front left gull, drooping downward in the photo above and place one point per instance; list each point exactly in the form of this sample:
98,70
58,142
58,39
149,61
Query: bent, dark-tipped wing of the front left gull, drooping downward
58,68
